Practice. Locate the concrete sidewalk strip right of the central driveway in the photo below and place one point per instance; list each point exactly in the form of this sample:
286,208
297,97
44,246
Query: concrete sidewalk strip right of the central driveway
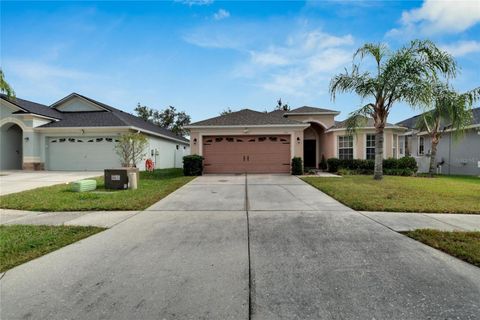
407,221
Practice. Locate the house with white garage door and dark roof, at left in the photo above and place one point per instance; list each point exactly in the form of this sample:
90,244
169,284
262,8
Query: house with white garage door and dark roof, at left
77,133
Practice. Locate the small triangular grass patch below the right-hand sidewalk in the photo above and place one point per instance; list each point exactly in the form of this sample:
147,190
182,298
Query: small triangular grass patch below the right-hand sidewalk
463,245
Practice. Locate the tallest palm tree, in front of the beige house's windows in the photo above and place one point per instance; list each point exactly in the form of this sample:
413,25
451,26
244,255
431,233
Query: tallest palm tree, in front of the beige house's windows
399,76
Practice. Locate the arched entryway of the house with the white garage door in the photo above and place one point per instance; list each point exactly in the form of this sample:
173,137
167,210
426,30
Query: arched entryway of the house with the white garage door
11,153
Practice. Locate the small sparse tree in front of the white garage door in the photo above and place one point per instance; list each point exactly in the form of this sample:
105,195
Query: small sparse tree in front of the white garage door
131,148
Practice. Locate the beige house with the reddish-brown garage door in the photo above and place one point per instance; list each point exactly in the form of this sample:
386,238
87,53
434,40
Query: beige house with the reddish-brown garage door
265,142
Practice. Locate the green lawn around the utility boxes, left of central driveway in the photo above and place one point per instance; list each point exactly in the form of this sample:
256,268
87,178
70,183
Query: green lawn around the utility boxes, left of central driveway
152,187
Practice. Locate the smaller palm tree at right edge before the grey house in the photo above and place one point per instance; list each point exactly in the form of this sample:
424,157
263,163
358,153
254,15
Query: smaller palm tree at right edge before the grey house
452,111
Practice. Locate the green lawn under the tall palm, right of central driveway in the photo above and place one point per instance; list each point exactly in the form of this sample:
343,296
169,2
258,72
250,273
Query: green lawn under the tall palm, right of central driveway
442,194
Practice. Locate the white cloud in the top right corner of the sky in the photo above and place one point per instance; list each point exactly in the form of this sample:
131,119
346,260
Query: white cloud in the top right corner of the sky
434,17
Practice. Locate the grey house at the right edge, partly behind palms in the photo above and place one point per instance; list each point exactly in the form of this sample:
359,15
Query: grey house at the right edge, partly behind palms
455,155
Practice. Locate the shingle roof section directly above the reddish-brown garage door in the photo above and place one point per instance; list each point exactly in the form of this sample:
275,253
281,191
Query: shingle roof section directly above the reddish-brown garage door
247,117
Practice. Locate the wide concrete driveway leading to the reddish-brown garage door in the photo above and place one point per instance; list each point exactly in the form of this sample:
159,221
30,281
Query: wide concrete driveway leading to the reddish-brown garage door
236,247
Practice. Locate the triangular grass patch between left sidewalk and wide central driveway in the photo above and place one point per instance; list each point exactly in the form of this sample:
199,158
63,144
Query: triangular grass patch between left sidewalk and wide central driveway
19,244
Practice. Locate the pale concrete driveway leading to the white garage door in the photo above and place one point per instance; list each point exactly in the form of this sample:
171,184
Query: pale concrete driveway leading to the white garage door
18,180
